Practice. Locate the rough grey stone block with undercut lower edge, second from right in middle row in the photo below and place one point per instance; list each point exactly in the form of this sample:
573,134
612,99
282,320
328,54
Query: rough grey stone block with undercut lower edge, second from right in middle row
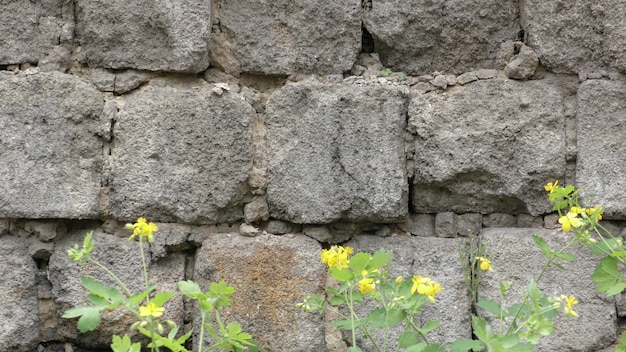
486,147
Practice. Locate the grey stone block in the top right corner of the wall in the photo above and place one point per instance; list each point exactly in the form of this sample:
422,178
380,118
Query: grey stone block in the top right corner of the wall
571,37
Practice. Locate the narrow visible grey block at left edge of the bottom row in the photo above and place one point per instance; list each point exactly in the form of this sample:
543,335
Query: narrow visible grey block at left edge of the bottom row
19,313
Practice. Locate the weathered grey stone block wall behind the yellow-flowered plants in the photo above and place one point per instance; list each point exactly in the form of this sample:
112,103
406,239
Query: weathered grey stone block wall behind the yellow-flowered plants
256,132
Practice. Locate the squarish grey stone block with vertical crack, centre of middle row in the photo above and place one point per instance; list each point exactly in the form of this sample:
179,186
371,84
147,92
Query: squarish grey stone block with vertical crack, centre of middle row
336,152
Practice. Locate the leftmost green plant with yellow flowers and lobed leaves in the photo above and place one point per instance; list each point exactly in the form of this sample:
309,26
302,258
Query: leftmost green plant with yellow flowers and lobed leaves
147,306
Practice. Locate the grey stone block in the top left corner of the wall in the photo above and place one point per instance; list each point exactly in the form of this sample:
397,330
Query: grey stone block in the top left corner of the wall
29,30
